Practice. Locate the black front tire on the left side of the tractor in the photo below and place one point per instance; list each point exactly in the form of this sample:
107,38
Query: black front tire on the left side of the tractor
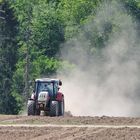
31,107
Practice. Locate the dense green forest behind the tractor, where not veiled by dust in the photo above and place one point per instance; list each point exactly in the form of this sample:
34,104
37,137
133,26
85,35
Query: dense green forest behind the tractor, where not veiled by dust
32,33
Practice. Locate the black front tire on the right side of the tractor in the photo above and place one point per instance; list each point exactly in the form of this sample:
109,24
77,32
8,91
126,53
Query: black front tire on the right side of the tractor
54,108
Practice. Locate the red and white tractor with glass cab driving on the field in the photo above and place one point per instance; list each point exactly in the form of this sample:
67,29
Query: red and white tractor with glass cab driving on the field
46,97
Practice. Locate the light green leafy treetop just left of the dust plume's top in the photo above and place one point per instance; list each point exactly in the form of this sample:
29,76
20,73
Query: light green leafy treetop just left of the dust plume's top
74,13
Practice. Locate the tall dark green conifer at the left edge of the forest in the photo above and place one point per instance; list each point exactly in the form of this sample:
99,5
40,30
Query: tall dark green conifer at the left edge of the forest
8,58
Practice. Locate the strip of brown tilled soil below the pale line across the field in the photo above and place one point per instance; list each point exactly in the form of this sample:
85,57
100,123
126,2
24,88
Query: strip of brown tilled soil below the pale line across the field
53,133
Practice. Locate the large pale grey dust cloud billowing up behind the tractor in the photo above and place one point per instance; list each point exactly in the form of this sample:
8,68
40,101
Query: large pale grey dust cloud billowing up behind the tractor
104,81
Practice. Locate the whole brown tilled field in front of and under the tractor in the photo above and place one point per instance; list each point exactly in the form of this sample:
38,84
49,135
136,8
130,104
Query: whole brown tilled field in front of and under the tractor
69,133
